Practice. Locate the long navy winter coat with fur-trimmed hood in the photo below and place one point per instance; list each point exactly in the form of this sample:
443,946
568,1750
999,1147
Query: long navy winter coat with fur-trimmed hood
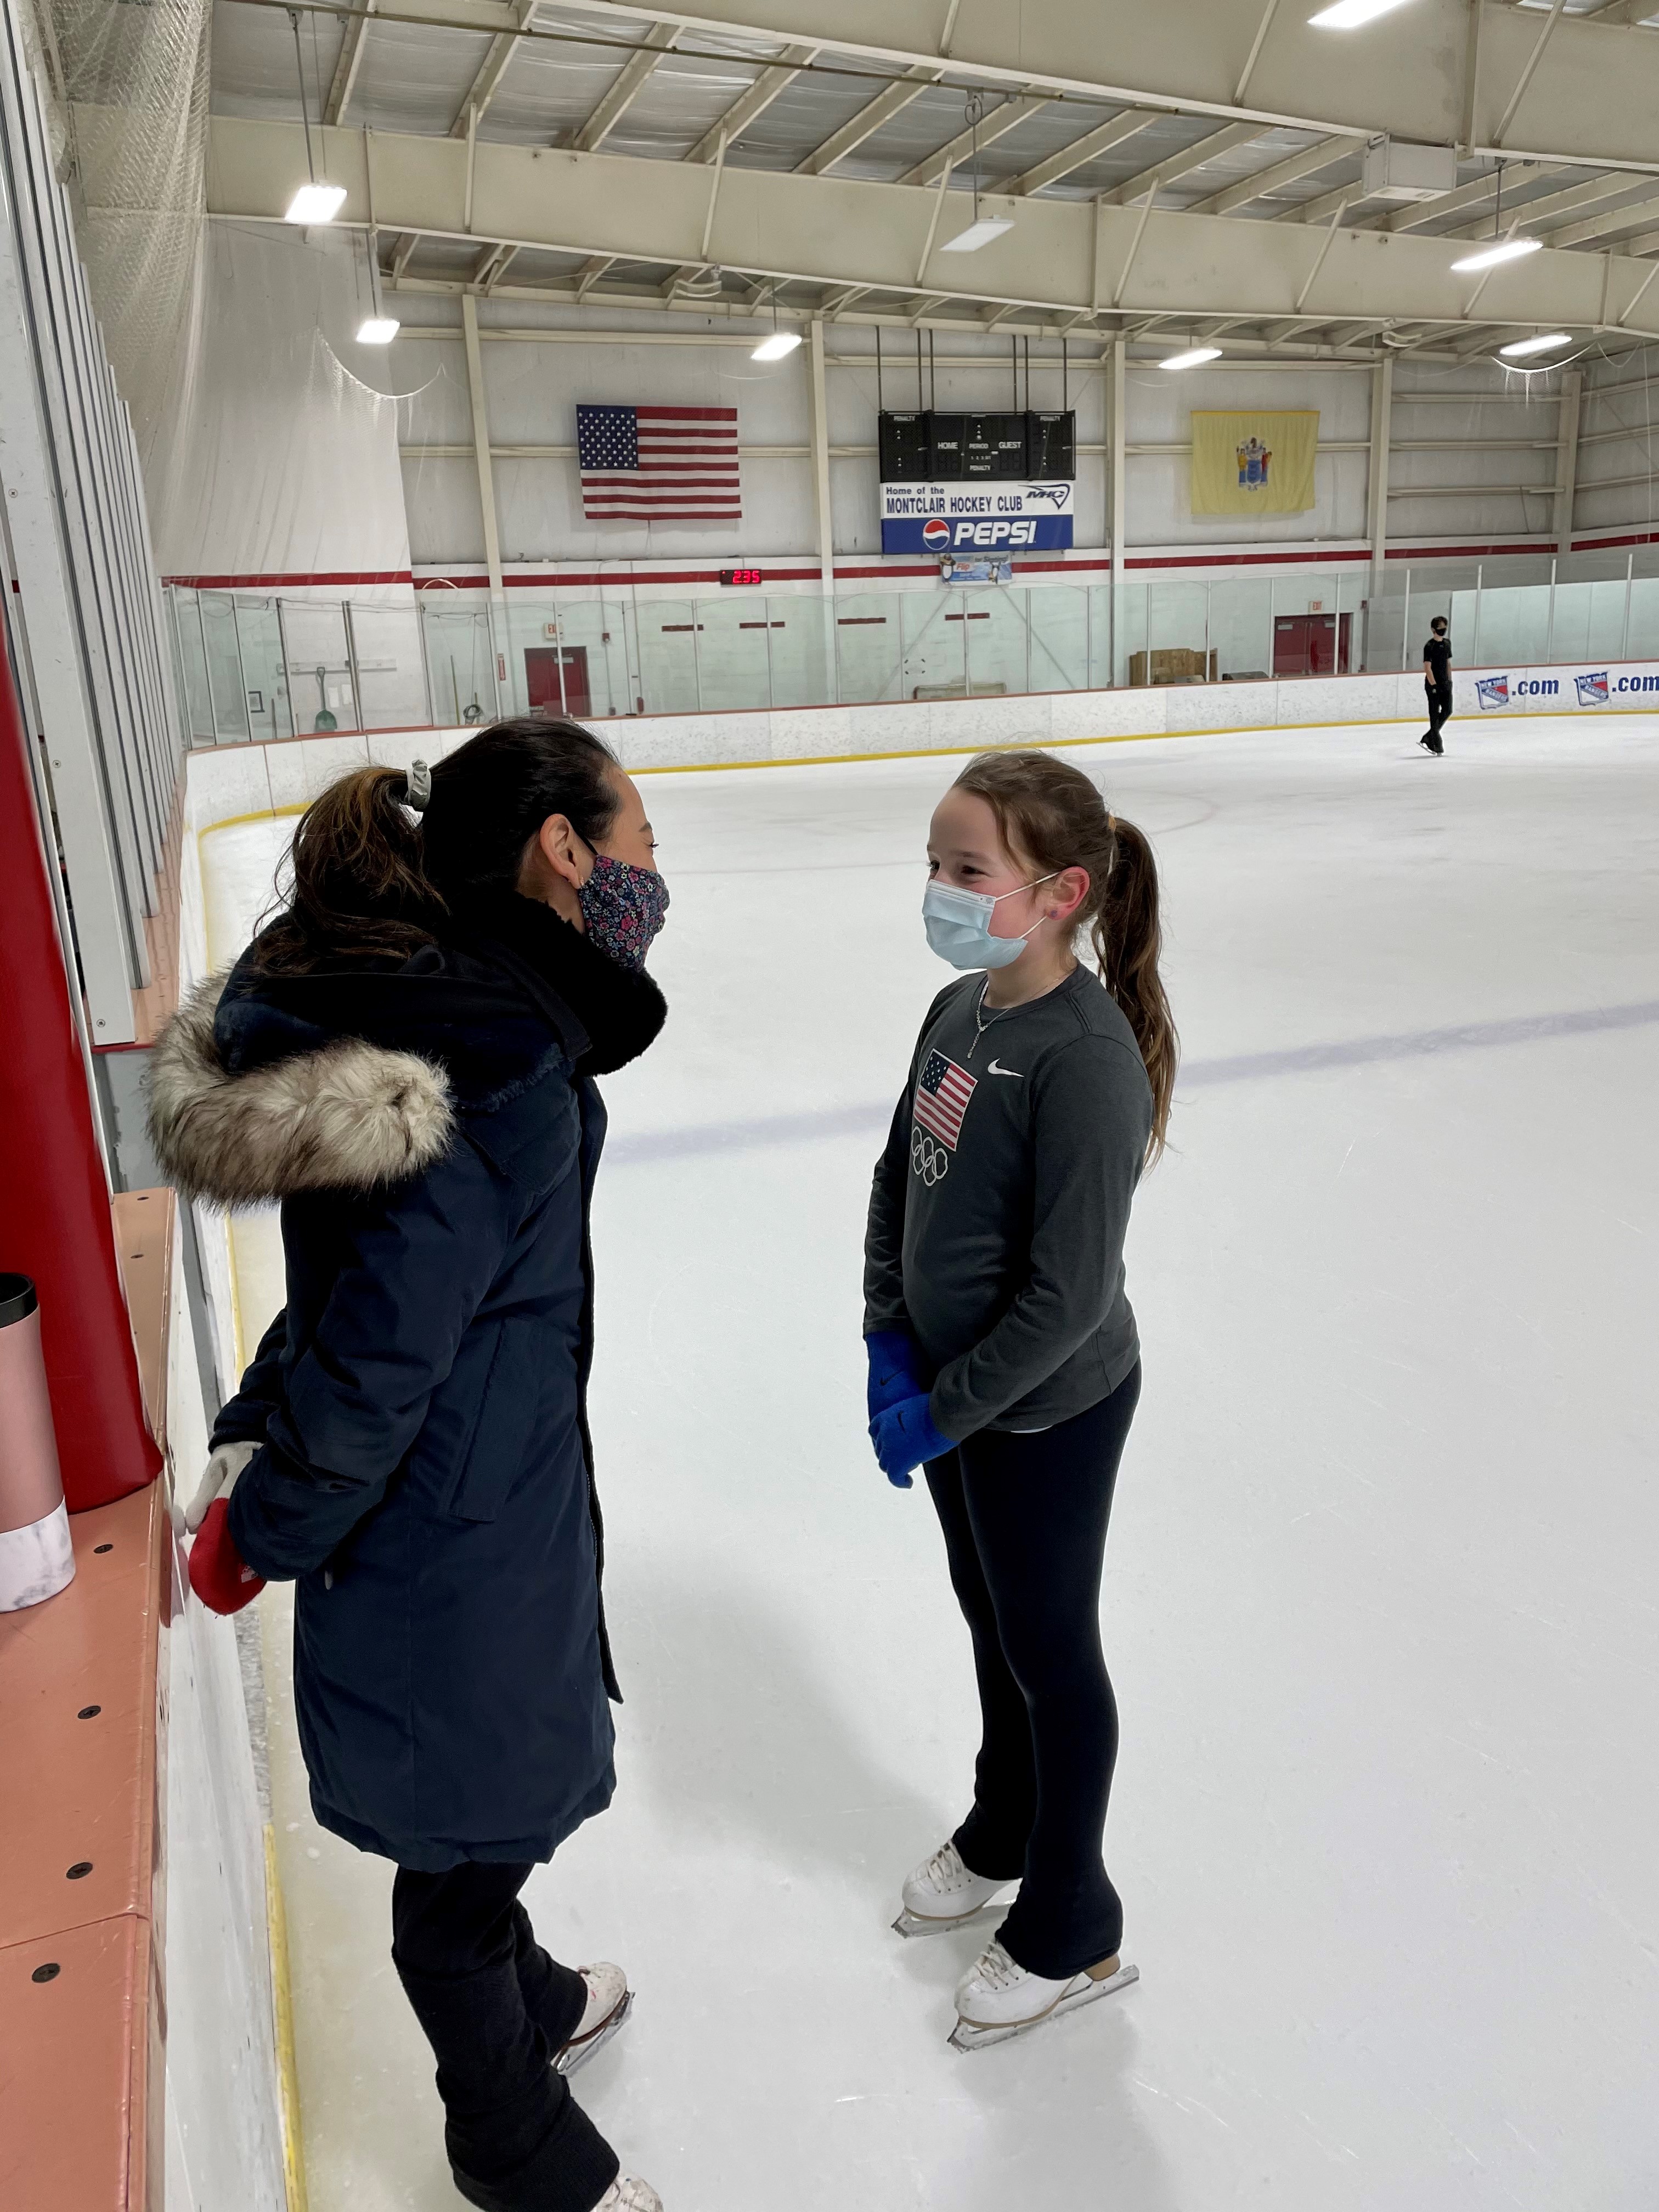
426,1470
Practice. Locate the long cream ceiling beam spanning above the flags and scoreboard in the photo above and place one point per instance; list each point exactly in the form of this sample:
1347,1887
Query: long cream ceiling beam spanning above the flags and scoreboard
826,233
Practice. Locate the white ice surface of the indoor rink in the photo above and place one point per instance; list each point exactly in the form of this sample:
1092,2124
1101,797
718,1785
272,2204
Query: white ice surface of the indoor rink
1381,1583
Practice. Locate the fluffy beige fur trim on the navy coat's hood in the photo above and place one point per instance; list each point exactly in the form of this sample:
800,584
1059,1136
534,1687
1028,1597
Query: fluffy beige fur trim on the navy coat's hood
351,1116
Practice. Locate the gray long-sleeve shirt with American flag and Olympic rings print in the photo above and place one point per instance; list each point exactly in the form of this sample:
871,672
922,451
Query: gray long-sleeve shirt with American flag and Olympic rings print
999,1211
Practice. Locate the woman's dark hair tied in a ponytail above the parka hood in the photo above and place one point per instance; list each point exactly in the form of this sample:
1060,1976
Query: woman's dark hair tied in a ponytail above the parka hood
384,857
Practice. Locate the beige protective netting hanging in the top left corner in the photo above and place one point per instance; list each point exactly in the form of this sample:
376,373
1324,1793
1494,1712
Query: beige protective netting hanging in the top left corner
127,92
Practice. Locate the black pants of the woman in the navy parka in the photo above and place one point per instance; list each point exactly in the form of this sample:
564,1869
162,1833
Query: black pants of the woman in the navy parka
497,2010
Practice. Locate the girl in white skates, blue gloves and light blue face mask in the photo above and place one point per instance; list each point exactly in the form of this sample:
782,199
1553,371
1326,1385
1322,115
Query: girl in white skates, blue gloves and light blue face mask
1003,1350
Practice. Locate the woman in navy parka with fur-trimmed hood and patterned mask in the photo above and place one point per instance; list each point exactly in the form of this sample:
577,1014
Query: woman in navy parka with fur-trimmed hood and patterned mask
406,1061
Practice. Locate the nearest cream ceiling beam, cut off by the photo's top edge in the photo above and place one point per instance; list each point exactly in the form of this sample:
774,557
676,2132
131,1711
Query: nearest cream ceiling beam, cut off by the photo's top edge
1592,101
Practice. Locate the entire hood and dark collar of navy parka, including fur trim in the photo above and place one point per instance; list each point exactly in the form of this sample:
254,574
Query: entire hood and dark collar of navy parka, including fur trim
271,1085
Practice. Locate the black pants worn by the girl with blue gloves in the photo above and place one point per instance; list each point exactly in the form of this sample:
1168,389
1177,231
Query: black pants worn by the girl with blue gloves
1025,1532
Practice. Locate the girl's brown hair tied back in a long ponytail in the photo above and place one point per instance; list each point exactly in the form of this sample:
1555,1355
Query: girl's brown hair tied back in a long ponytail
1052,815
